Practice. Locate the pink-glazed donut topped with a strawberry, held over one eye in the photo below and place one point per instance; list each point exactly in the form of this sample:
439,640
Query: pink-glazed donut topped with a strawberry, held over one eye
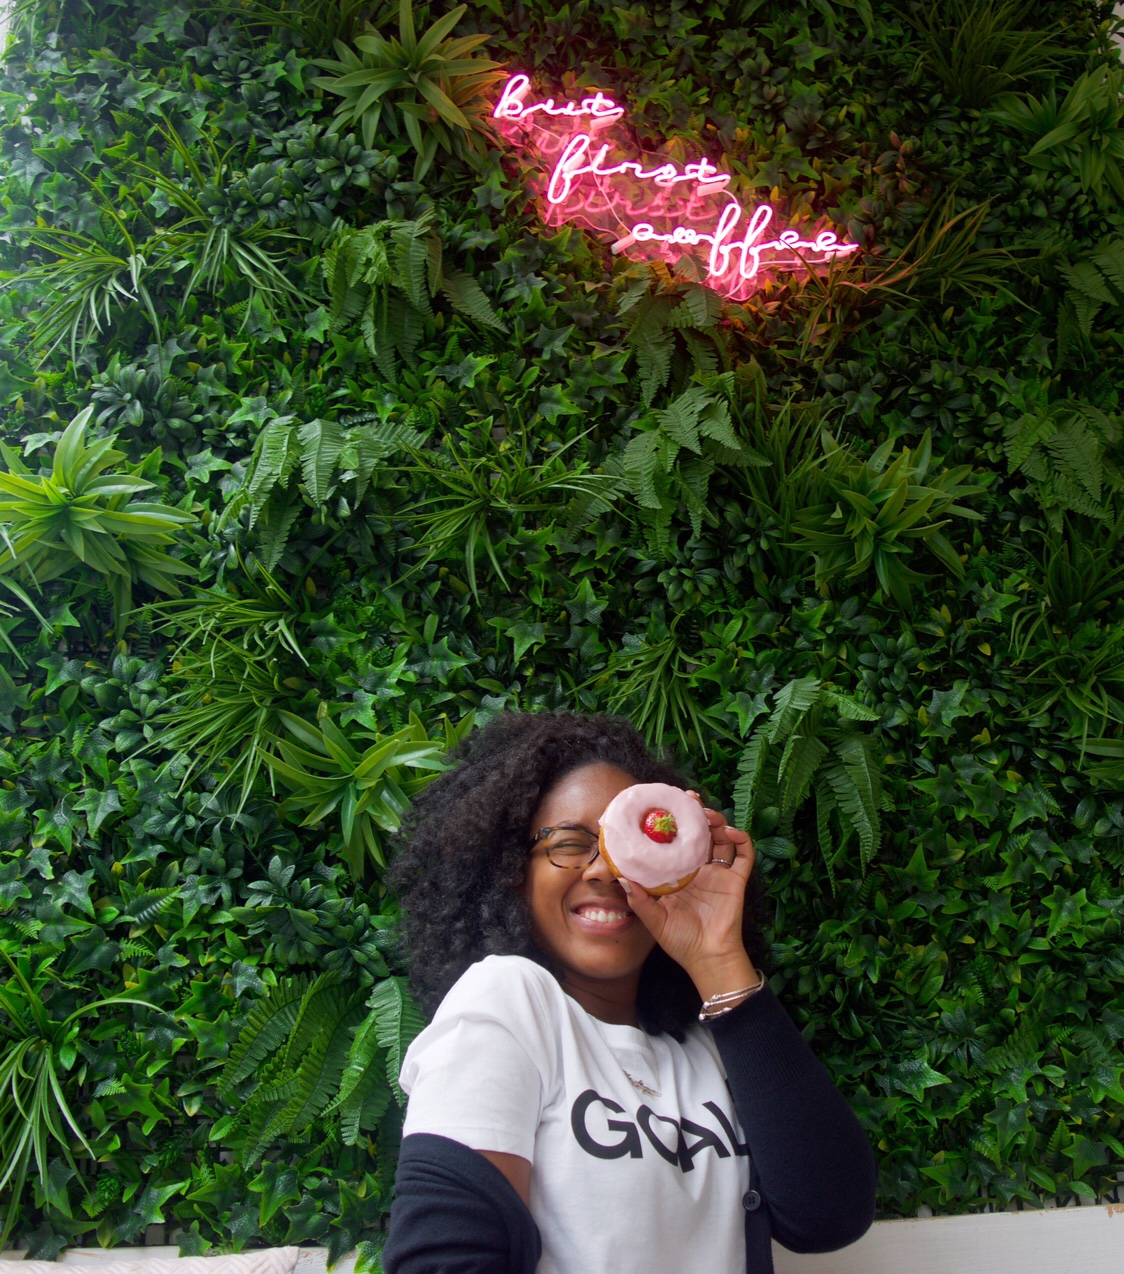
656,835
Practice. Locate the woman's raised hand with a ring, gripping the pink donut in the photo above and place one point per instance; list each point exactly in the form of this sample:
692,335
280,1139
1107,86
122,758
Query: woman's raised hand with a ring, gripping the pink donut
700,927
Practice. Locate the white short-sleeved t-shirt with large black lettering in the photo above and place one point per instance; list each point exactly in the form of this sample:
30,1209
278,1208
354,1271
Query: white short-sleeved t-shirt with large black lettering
625,1180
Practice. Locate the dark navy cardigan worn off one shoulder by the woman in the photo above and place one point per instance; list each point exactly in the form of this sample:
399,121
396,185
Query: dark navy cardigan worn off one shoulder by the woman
812,1170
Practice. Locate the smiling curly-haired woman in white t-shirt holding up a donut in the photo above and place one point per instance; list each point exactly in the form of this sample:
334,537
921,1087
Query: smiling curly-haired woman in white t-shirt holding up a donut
569,1112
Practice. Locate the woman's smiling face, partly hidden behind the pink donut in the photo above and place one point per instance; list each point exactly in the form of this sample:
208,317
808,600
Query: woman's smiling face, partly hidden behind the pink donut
580,918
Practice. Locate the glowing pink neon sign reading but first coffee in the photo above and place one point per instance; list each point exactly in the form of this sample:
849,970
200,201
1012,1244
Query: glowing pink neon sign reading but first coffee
658,210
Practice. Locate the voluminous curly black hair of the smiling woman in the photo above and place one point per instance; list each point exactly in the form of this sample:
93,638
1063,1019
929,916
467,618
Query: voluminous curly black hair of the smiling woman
463,855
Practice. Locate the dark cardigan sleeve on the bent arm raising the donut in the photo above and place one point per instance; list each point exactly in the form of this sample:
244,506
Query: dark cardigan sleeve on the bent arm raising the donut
814,1163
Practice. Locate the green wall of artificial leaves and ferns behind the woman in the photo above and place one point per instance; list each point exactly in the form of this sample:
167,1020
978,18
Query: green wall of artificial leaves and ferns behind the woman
321,448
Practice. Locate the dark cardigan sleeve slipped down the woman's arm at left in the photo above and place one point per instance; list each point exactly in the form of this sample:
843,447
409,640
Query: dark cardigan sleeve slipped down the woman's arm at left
457,1213
